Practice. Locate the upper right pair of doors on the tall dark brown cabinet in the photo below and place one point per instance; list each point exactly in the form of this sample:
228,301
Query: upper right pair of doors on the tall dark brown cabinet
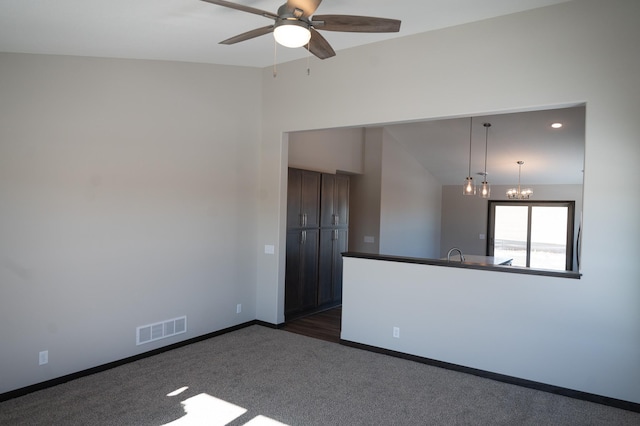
334,204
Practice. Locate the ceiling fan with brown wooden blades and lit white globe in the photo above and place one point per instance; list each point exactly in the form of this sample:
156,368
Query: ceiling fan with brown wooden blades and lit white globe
294,26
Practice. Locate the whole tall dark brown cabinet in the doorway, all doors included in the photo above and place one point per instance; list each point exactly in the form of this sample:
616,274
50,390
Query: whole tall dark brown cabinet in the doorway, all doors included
317,235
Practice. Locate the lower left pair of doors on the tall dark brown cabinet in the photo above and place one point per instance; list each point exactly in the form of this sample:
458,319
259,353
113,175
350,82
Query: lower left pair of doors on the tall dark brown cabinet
301,270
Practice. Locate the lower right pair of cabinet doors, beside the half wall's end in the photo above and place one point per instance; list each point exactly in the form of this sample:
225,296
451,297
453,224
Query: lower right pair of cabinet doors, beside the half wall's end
333,242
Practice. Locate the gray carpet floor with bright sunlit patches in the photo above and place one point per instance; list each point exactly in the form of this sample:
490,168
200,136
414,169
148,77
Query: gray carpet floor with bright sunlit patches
262,376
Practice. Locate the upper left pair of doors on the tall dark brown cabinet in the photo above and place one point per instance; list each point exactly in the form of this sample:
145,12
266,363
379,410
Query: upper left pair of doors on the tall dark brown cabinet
303,199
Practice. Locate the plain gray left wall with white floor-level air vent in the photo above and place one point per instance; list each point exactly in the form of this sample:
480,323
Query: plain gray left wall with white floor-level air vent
128,196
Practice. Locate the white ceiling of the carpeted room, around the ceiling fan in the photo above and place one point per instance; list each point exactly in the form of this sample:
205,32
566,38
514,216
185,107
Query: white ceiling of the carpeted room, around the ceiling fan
189,30
